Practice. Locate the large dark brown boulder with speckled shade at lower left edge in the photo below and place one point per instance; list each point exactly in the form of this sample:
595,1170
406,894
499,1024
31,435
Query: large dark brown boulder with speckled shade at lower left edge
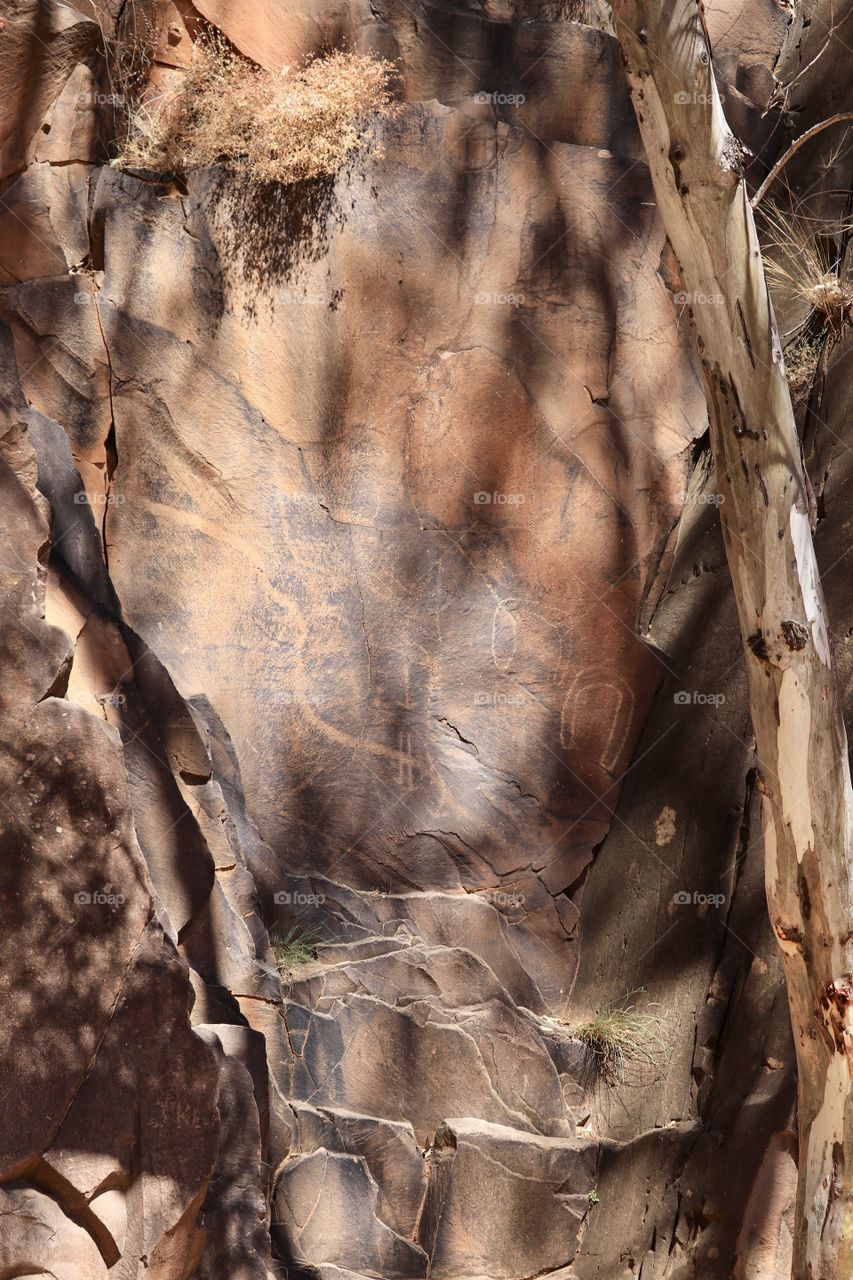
117,1126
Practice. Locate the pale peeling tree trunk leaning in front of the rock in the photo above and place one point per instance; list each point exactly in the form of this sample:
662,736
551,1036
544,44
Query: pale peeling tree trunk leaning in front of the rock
696,167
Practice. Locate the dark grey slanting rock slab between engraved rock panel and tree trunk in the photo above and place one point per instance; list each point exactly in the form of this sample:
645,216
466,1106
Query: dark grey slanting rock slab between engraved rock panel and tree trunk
676,911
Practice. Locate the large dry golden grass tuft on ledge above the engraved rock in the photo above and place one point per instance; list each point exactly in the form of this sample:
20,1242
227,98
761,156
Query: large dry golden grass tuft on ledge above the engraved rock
285,127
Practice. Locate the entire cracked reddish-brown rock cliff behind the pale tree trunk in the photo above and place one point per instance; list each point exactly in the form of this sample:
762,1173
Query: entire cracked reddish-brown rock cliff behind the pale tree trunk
363,584
